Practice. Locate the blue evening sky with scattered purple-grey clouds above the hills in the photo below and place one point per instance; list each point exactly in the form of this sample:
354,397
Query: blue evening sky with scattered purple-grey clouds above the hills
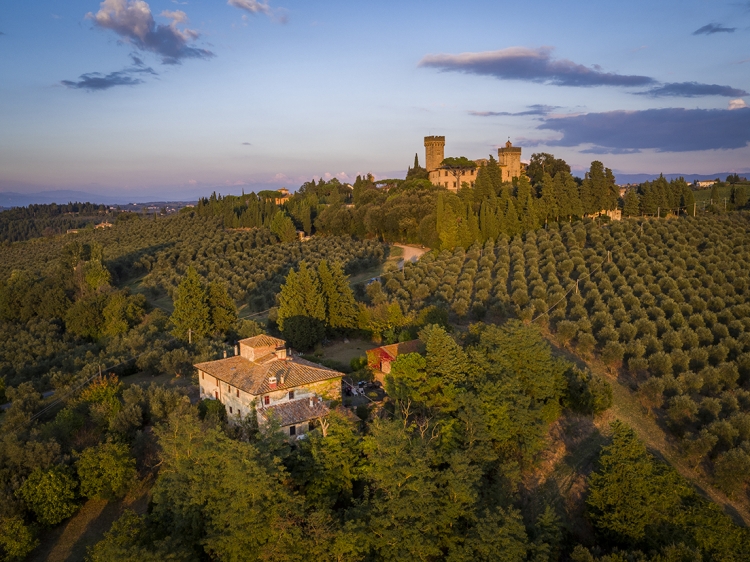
169,98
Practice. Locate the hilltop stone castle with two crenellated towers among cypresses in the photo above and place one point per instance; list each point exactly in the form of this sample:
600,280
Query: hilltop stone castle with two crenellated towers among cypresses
508,158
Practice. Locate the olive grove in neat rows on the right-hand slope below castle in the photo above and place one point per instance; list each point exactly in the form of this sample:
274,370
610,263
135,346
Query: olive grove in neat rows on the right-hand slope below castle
667,301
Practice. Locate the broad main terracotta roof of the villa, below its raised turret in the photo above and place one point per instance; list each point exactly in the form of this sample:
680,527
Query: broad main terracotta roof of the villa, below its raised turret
252,376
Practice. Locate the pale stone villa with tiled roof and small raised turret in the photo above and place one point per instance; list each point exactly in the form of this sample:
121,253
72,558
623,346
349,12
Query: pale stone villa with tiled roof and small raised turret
264,375
